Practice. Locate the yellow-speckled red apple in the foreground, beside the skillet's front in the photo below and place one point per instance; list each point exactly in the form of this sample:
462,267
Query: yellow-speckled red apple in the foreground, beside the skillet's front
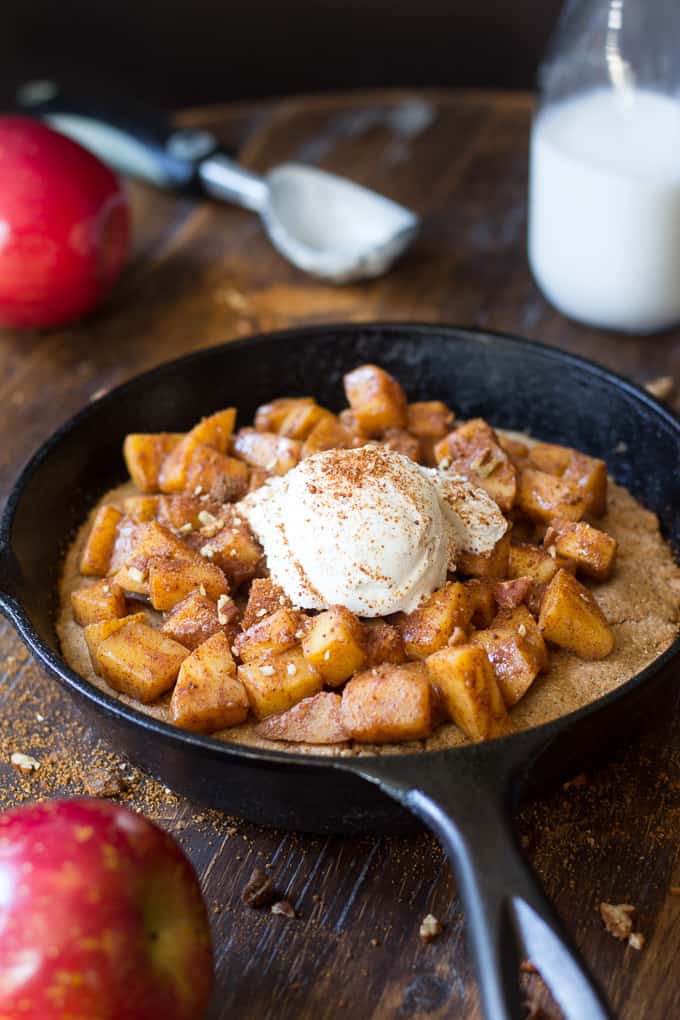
101,917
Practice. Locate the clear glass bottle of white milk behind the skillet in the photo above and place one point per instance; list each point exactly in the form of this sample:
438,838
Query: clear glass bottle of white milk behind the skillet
604,234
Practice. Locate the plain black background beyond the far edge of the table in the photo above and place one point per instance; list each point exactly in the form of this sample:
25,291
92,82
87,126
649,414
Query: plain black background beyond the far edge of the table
186,53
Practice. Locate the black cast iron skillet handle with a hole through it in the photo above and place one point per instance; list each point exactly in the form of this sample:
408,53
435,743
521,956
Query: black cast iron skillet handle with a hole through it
468,806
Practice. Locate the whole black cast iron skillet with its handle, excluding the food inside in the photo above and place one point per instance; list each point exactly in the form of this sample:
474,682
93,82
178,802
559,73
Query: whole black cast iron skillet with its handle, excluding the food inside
464,795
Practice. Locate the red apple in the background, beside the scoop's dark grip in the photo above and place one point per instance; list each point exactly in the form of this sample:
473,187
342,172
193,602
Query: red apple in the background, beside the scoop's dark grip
65,227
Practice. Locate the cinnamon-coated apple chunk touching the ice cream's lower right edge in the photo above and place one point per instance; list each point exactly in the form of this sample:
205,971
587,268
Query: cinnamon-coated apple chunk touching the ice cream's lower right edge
429,629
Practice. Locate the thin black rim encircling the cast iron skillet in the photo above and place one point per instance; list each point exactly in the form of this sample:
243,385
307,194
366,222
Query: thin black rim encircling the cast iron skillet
535,738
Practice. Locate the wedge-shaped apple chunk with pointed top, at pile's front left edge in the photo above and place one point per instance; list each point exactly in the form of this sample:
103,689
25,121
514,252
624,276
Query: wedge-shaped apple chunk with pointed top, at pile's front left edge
208,695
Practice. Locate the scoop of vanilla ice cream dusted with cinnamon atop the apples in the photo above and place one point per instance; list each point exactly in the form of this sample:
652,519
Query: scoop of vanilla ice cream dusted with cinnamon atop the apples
369,530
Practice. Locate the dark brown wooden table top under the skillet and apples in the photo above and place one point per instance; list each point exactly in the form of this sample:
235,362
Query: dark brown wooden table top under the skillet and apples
203,274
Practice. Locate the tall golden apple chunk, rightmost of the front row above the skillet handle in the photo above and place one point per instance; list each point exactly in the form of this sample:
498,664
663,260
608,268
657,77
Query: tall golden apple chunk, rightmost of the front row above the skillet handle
469,690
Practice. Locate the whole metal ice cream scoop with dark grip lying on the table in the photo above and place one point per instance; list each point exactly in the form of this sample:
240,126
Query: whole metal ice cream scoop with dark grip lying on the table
328,226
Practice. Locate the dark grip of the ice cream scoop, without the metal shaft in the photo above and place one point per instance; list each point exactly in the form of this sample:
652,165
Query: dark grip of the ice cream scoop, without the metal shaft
131,139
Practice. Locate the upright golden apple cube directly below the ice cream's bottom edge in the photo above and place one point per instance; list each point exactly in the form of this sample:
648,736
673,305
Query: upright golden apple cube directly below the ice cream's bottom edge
335,645
